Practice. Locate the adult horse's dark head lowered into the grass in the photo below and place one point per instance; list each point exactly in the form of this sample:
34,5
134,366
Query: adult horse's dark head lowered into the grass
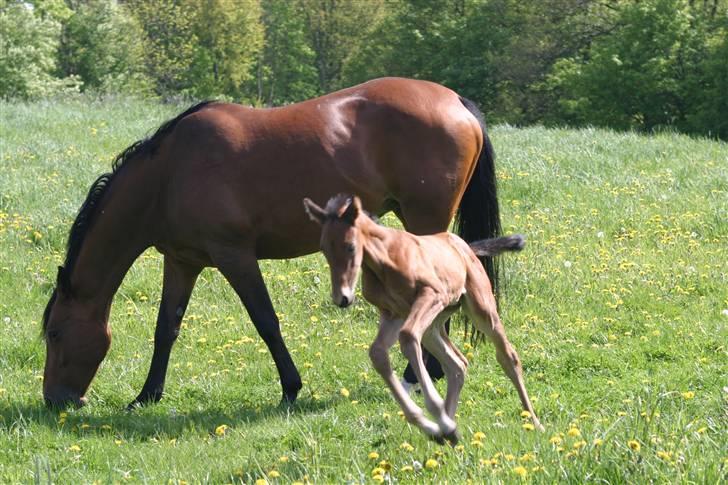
77,338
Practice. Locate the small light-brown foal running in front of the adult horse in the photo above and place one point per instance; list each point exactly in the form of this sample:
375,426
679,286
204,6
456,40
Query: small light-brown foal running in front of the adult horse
417,282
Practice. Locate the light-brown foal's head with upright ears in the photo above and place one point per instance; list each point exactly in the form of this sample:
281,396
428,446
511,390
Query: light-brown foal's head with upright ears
340,242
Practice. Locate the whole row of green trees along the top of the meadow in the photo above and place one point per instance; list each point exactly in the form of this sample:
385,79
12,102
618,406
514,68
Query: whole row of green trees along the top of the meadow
626,64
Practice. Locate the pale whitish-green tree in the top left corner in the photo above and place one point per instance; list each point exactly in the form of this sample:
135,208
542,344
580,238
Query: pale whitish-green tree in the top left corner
28,43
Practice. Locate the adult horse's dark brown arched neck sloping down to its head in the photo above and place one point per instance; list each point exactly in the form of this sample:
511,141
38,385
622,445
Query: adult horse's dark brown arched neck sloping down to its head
121,230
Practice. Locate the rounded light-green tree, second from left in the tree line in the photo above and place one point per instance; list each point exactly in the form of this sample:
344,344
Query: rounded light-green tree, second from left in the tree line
103,45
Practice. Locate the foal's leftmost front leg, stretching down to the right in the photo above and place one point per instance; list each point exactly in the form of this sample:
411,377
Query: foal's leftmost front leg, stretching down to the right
379,355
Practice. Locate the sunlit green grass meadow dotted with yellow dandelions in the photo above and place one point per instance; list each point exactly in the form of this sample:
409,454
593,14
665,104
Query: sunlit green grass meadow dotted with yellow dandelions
617,307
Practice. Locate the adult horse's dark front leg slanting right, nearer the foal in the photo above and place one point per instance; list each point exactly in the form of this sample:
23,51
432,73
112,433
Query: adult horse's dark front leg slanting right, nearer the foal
243,273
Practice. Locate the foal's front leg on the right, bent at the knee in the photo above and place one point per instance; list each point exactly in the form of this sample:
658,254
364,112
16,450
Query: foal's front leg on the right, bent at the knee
421,316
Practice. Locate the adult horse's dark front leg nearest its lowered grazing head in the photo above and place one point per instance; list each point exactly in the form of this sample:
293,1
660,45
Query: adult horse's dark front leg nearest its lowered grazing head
177,285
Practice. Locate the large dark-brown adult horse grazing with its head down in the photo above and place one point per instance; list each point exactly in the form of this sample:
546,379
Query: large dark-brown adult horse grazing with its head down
221,185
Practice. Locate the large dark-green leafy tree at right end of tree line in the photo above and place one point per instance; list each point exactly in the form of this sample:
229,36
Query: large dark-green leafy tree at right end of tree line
641,75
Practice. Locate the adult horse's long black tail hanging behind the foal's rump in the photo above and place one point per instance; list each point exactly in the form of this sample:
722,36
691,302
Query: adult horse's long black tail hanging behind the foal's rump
478,216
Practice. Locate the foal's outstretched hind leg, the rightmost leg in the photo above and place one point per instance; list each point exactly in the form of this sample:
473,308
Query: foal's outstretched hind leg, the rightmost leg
481,307
